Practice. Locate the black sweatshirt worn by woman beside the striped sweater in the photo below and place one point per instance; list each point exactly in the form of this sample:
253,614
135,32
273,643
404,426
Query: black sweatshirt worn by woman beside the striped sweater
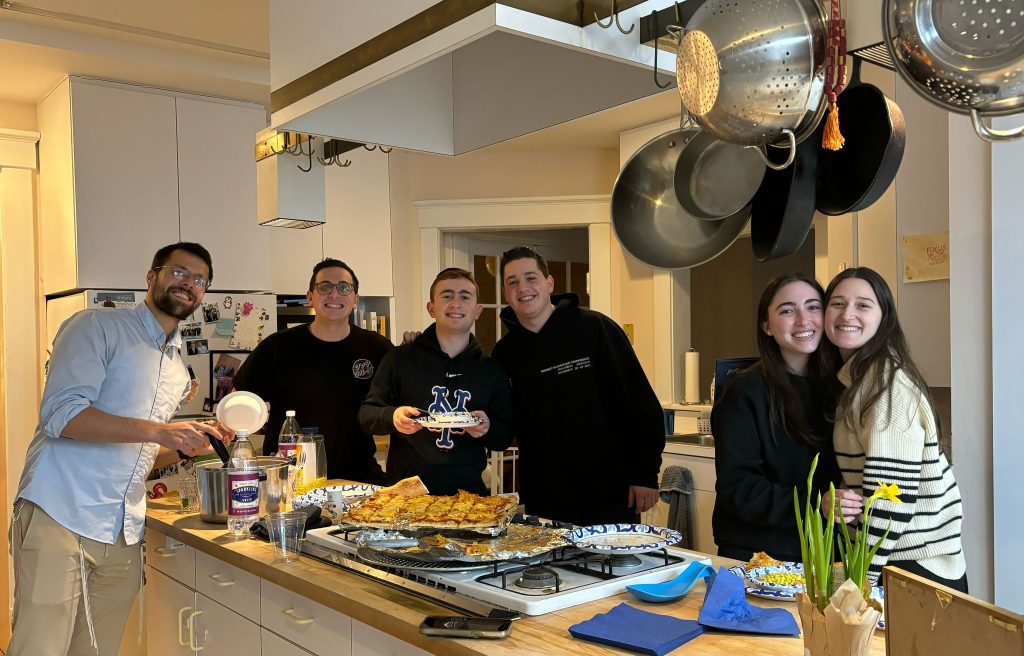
758,471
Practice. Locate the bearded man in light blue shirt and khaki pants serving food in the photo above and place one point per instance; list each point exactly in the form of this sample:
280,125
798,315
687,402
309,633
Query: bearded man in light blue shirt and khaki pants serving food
116,379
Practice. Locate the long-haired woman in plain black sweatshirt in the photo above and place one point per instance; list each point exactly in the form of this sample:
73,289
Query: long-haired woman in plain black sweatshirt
770,425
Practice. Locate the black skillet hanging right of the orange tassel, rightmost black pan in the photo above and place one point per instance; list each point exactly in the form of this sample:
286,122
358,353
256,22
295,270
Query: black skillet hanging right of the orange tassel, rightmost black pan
856,177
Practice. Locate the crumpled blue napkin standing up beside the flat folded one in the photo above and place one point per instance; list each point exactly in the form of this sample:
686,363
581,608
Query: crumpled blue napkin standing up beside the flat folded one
727,607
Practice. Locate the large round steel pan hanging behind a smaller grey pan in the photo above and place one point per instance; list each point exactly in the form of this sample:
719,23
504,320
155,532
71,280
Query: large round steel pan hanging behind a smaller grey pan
648,218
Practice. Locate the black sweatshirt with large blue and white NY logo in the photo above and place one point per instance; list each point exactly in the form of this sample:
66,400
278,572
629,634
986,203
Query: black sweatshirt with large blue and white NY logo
423,376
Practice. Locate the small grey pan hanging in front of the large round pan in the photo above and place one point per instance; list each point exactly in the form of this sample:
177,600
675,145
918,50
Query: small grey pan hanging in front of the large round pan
715,180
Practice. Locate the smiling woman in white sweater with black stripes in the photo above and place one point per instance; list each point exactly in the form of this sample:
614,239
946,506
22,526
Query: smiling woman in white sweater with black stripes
887,431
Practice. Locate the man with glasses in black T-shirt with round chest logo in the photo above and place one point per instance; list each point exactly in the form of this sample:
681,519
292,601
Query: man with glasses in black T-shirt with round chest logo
323,372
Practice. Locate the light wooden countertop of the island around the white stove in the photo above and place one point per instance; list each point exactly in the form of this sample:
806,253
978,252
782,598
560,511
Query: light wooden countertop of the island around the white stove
400,614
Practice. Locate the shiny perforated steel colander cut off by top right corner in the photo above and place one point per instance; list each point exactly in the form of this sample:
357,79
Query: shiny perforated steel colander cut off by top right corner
965,57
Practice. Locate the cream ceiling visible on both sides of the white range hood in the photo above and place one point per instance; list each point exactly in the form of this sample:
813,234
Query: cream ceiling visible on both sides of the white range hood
217,49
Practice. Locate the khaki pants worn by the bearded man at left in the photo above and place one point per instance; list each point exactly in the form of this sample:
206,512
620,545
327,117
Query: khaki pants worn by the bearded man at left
51,611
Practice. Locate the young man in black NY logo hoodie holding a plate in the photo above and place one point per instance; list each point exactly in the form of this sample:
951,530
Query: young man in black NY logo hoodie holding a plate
443,371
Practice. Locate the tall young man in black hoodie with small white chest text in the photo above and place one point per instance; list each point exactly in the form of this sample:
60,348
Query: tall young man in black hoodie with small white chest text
589,426
